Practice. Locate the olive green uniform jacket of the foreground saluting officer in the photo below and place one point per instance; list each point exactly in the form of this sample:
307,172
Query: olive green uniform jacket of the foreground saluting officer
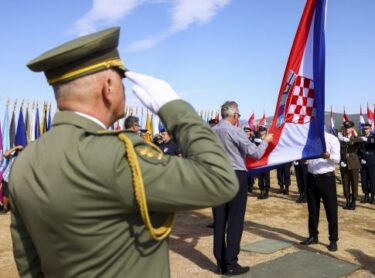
75,212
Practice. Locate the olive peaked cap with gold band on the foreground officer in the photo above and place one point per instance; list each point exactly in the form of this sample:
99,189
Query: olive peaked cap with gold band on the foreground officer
82,56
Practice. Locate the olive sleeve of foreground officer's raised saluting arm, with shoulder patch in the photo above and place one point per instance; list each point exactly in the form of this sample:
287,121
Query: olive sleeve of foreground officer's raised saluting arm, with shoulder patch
202,177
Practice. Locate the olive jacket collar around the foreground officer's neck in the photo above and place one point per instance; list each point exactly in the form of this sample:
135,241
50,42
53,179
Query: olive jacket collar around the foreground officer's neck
73,118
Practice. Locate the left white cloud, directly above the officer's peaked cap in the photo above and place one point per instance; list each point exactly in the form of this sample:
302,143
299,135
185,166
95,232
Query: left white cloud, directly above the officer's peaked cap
104,12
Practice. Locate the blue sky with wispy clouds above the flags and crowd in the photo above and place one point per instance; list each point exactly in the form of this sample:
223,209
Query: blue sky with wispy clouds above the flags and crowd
210,51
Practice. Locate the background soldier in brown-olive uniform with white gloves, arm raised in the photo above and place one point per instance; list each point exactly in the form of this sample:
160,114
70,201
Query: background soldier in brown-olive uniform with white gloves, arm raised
349,164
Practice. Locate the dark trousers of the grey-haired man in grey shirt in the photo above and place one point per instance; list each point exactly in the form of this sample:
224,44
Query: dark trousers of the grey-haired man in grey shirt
229,220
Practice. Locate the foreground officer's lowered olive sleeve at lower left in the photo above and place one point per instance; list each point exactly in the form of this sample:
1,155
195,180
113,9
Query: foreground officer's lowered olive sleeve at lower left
25,254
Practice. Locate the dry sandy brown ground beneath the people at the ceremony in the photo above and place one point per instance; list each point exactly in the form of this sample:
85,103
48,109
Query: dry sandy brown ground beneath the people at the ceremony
278,217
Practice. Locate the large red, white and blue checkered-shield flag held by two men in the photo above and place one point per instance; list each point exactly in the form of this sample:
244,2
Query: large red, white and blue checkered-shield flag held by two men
298,122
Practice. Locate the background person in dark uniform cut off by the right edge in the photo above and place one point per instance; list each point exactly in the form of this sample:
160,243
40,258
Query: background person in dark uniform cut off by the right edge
367,159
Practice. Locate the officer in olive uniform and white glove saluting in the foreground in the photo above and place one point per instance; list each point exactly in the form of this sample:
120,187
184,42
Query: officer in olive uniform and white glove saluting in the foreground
95,203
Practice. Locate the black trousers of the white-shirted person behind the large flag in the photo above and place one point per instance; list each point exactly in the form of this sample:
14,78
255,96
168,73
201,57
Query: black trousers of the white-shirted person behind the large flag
322,187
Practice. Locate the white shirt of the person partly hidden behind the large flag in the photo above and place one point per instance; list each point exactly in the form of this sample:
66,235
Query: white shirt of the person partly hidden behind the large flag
321,165
